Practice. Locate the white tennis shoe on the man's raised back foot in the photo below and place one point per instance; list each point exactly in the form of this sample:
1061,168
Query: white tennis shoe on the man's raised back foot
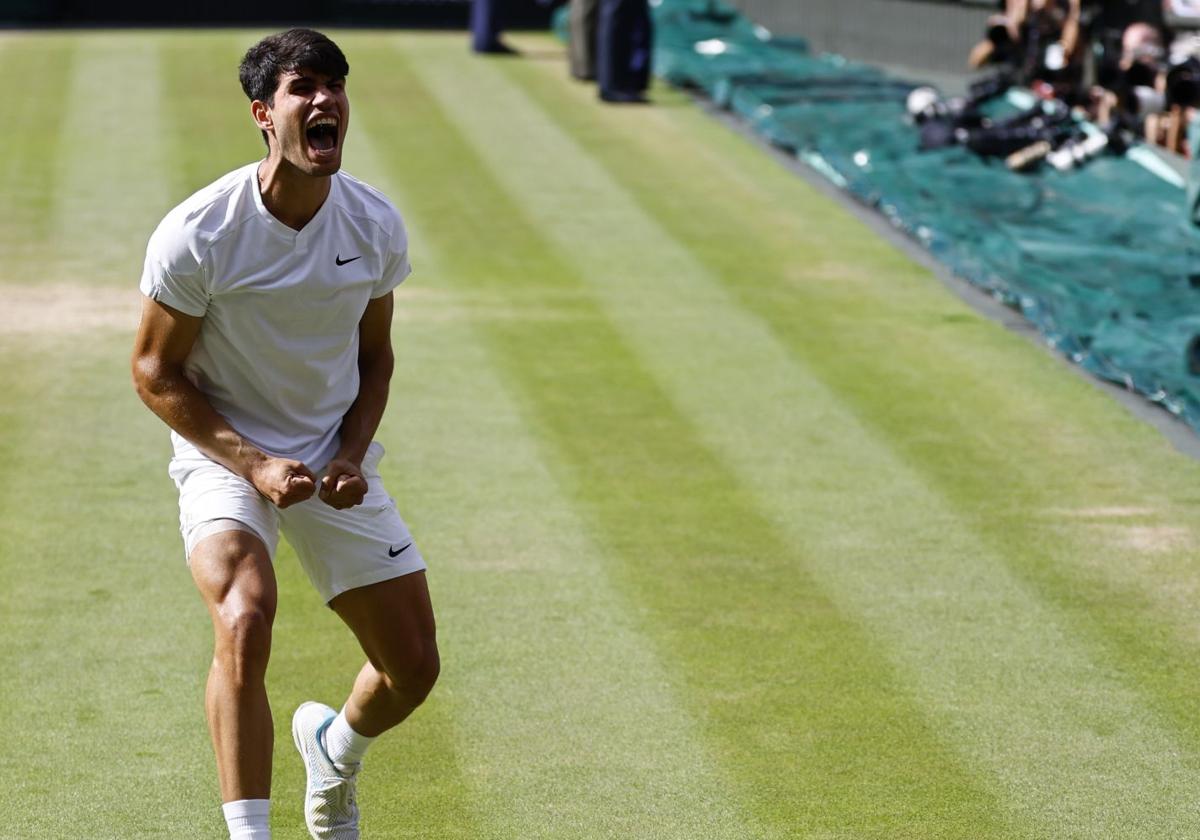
329,808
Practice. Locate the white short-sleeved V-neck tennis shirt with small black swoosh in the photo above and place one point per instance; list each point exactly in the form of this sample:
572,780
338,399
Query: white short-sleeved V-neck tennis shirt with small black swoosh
278,352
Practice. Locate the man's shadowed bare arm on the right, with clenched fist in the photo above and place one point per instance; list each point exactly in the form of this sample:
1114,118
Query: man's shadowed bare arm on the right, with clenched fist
345,485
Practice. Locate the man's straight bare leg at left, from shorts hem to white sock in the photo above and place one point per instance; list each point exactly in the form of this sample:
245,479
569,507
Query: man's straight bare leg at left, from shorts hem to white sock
233,572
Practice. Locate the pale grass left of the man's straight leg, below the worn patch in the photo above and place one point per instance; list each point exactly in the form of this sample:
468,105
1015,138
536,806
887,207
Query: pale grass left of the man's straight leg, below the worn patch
105,641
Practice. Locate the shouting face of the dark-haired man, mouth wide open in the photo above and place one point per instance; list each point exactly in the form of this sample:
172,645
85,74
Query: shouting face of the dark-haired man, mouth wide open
309,118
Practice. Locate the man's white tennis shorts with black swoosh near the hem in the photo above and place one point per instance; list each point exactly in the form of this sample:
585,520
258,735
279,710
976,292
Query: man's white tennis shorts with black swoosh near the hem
340,550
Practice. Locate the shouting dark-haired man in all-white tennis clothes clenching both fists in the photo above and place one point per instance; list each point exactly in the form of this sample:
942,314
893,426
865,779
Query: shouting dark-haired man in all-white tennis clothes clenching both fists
266,345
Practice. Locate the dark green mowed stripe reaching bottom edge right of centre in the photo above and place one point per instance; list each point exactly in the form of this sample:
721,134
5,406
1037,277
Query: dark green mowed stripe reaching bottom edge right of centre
789,693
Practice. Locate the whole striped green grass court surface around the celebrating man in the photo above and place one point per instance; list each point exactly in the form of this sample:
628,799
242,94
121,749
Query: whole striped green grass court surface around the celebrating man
740,525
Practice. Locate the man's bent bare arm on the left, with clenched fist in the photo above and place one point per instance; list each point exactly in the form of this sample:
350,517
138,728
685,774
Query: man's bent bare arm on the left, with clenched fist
165,339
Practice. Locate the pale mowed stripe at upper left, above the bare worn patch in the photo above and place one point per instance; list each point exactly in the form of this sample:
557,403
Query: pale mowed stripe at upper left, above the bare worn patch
111,175
